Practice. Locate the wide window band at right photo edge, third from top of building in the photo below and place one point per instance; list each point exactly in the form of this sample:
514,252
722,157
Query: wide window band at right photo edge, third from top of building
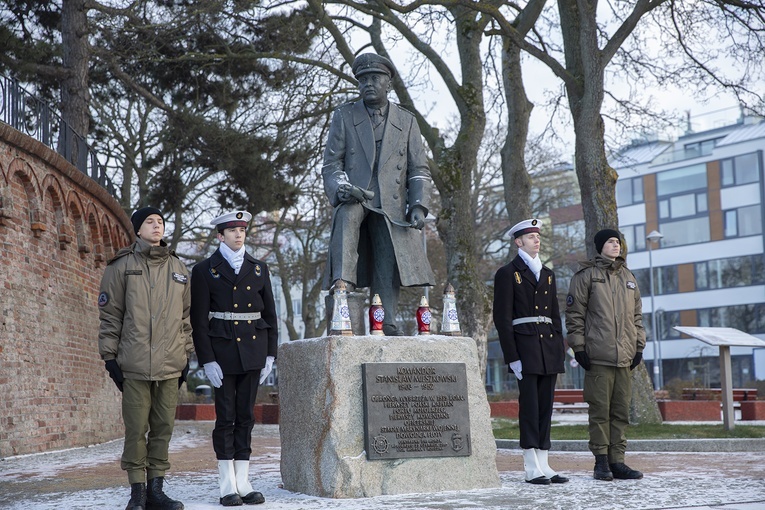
732,272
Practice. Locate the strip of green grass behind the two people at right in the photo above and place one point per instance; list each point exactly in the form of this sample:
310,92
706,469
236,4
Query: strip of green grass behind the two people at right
508,429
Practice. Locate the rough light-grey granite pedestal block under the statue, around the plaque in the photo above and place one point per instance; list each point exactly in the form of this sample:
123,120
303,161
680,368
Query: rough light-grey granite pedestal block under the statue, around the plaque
322,419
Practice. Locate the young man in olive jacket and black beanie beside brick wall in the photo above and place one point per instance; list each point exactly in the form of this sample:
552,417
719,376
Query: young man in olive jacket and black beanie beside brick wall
145,340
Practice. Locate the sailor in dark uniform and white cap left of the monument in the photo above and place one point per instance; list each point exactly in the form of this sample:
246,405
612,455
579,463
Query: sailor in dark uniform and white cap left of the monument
235,335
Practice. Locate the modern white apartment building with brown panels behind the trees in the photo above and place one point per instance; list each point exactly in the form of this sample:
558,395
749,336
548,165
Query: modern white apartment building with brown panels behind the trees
704,195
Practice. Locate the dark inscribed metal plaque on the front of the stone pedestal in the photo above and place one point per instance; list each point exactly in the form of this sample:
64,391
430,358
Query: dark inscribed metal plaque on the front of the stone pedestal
415,410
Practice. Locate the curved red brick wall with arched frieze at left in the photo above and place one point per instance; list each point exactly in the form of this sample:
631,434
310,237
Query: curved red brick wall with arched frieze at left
57,229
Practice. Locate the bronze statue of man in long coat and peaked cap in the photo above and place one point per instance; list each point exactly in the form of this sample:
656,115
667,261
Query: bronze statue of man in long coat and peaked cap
377,178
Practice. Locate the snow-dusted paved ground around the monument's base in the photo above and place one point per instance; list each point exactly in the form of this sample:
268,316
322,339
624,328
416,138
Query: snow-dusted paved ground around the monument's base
90,478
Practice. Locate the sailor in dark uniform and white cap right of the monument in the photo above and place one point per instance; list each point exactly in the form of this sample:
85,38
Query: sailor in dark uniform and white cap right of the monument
528,322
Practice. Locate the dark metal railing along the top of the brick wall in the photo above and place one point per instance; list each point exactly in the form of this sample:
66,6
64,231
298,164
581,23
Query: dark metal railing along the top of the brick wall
34,117
